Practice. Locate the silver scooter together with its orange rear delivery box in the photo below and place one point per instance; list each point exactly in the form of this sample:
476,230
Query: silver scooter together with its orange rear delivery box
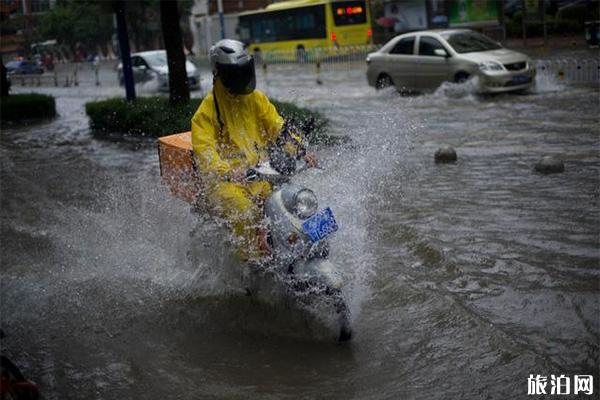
297,233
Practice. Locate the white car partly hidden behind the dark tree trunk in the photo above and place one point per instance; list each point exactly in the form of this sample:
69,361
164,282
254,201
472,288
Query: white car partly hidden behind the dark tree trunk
148,65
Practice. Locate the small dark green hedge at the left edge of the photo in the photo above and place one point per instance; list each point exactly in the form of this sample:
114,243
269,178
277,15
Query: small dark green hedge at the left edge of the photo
18,107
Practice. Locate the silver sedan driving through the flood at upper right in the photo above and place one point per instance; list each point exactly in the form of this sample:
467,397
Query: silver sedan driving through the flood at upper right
422,61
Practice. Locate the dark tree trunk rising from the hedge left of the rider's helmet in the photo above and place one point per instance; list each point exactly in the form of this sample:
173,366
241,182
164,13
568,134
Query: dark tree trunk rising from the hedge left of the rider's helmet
178,83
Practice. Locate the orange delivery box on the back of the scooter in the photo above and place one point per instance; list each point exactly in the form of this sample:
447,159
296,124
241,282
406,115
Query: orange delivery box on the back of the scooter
178,167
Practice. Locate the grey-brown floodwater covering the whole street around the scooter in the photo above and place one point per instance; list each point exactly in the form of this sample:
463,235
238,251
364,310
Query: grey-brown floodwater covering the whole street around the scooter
463,279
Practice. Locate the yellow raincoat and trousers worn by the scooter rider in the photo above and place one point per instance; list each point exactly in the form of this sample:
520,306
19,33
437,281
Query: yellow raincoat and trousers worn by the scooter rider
237,137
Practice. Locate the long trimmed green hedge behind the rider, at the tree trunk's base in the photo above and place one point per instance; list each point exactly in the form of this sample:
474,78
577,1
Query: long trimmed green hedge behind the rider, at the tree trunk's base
154,117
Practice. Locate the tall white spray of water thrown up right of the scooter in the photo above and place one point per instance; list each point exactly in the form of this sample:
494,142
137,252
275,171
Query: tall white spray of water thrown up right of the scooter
353,175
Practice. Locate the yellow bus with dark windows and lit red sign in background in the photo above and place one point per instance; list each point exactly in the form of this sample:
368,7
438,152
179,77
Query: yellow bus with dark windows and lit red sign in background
304,25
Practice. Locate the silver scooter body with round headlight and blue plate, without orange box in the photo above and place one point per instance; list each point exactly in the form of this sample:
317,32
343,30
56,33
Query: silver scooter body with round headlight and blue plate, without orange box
298,234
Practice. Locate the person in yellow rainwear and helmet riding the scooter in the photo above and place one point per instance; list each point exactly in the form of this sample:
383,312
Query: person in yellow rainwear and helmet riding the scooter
232,130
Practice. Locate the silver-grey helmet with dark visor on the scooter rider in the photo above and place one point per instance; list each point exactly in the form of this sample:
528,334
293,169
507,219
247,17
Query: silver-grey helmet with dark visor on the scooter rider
232,64
